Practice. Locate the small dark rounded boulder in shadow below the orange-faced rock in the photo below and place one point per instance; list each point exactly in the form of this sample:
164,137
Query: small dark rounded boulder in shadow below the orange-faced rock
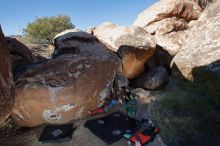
153,80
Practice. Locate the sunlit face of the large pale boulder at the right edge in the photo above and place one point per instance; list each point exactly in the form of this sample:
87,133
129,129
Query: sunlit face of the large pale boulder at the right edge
202,46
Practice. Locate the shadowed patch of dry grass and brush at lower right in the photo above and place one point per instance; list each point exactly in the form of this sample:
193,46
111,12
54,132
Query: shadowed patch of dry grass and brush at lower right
187,116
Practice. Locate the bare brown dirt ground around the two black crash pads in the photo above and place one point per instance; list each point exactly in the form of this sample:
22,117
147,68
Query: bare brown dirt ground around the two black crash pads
81,136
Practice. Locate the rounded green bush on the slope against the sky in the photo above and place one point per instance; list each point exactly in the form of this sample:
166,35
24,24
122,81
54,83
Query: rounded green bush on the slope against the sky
43,30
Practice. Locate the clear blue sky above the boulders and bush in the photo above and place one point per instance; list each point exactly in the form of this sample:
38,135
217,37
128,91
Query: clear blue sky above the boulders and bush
16,14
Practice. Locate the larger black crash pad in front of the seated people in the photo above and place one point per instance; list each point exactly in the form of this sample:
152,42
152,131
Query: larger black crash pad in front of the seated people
112,127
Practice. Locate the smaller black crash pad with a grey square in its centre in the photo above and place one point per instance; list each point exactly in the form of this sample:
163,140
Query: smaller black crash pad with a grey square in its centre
57,133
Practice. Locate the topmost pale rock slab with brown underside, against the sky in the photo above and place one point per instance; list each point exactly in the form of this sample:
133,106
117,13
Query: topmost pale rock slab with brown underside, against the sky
187,10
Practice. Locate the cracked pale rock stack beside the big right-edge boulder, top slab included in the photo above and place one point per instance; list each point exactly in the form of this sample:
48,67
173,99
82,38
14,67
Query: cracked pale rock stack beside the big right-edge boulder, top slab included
168,21
